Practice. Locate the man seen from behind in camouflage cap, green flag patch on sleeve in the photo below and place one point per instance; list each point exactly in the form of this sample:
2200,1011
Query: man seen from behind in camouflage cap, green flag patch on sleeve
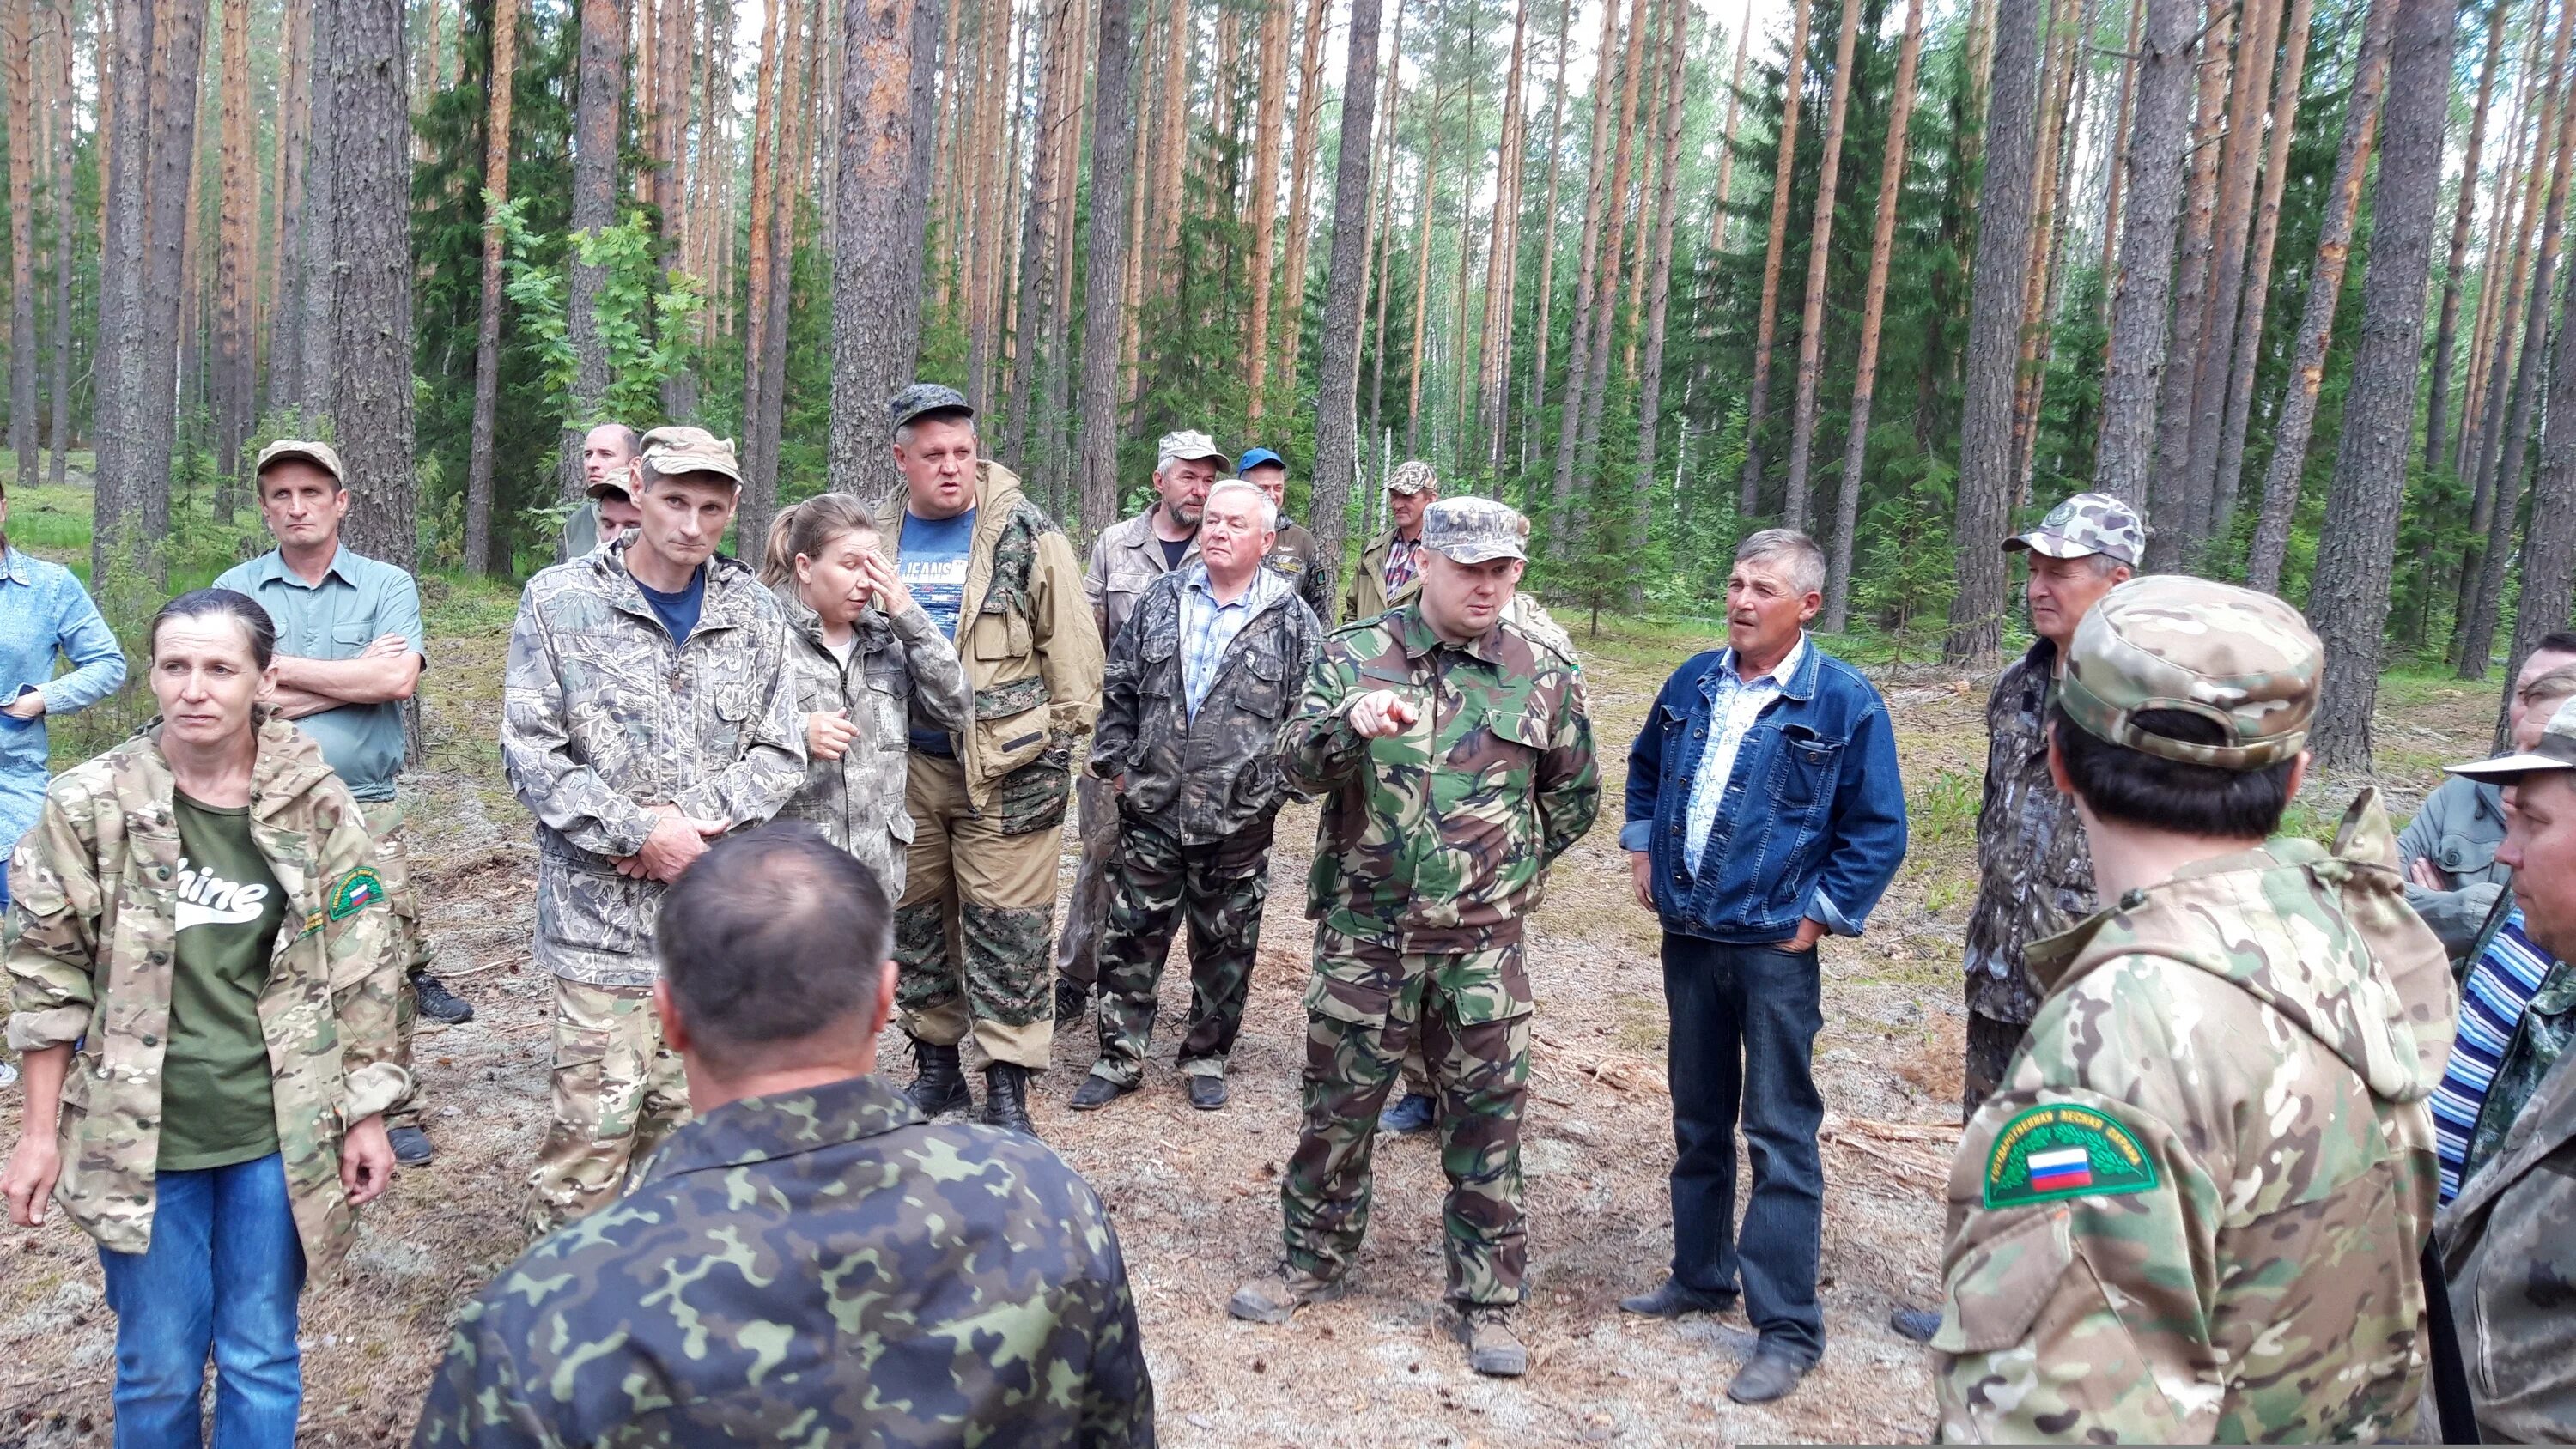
2196,1203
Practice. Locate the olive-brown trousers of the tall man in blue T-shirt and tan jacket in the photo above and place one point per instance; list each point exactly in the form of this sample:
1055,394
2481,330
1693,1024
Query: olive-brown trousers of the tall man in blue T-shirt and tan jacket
972,925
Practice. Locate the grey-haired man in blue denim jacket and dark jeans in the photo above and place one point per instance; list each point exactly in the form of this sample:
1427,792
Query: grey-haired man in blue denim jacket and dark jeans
1763,812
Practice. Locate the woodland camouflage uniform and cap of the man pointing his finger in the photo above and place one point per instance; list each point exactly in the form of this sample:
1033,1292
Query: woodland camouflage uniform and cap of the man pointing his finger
1428,858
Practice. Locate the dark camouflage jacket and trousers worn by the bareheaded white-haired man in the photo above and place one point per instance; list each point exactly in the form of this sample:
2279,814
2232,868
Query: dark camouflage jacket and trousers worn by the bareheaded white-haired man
1199,804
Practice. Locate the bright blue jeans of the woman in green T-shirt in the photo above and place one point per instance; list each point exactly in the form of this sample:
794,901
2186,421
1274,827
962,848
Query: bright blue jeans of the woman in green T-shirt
223,1273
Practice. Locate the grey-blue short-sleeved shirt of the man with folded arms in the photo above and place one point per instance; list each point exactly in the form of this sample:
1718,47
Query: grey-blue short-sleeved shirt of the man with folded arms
357,604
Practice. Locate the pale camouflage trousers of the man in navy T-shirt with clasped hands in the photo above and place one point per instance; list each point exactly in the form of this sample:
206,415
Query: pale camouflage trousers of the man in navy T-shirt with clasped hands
617,1095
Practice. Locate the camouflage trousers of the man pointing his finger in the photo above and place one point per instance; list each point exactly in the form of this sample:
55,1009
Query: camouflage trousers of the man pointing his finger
1472,1015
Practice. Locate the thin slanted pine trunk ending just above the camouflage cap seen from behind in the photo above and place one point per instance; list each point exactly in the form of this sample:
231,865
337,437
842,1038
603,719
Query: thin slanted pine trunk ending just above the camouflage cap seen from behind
2281,485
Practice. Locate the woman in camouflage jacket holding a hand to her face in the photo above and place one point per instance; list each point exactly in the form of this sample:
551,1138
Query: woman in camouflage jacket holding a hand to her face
862,652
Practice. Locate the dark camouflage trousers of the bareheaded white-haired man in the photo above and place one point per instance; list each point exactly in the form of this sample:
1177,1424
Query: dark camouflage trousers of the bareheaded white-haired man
1155,879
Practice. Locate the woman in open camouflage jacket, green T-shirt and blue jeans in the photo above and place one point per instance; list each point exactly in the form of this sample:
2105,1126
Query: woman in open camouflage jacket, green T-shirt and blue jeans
192,907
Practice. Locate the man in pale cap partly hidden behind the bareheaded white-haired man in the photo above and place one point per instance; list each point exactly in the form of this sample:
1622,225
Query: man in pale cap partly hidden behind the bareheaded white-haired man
1127,560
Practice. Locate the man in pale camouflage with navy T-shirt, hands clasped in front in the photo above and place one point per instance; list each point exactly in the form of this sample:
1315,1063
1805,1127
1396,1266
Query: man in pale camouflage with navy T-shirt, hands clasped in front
648,709
